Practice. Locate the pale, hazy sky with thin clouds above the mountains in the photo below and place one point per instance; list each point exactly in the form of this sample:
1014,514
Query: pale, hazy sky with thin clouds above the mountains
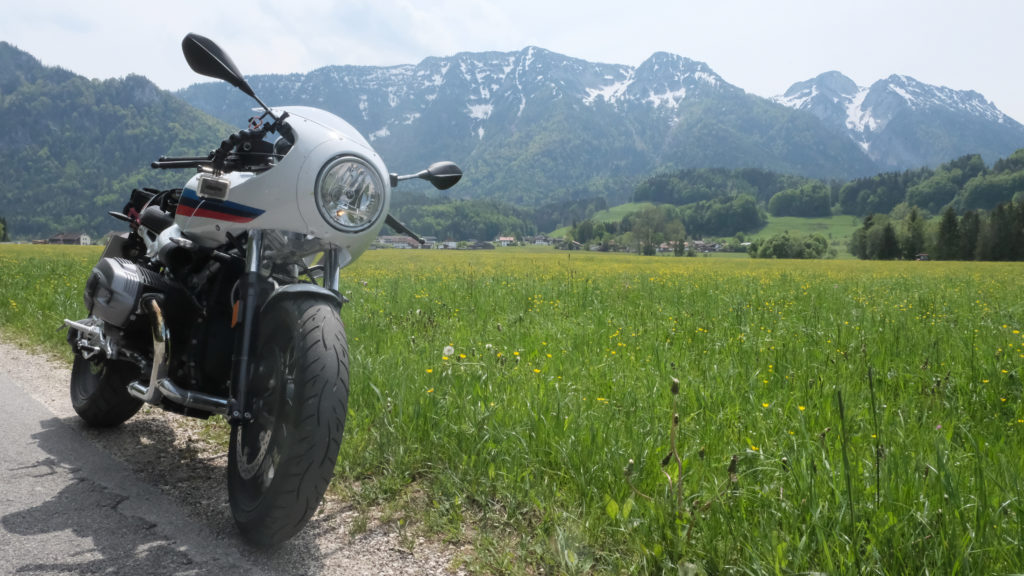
761,47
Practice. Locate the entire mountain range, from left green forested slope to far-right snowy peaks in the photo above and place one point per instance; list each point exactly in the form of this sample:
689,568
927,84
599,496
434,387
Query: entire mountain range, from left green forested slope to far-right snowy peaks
529,128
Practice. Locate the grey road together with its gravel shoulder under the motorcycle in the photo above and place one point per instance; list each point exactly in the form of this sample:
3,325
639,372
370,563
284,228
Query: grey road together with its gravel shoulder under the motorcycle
143,499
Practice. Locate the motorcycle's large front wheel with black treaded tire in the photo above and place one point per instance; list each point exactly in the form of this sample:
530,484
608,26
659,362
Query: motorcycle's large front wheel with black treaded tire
281,464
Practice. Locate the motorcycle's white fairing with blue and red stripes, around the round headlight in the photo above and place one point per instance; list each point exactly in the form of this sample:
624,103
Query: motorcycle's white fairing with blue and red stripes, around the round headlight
282,198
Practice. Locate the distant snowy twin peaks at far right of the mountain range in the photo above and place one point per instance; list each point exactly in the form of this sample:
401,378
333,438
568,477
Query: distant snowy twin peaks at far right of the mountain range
904,124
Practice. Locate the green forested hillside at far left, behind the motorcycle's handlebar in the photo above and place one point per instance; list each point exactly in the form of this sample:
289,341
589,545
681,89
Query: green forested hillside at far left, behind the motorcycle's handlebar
75,148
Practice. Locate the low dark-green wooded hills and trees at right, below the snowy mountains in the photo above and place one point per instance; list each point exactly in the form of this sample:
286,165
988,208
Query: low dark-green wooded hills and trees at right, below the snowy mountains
980,218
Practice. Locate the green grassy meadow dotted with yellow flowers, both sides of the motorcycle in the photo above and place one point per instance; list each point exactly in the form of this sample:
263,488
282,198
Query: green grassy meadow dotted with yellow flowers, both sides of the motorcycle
596,414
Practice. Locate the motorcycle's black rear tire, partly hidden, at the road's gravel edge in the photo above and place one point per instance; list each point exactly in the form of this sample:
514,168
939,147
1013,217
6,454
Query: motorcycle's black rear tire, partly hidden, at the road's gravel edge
100,392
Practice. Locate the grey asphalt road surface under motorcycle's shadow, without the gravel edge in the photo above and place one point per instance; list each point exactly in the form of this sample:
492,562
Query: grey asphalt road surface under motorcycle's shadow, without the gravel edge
69,508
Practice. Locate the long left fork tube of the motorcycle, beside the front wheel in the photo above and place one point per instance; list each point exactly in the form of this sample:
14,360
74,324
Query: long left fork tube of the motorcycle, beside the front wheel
250,304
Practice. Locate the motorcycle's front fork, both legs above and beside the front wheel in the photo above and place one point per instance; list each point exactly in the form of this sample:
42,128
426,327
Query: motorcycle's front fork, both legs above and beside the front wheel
250,305
